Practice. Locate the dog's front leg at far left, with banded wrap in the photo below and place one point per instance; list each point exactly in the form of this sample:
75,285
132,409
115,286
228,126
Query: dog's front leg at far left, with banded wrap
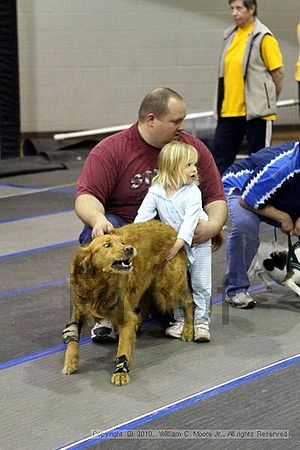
71,335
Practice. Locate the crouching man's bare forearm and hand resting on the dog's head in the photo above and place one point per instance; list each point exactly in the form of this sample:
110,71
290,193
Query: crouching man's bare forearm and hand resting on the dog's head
92,213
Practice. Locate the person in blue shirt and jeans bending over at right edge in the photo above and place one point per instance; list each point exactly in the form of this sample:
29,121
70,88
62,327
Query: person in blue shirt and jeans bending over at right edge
265,187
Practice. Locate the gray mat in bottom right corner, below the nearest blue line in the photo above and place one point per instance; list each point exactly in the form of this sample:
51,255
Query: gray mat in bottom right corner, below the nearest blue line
235,419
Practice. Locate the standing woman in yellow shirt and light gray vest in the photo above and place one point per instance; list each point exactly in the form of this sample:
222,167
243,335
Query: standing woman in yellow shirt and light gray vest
250,81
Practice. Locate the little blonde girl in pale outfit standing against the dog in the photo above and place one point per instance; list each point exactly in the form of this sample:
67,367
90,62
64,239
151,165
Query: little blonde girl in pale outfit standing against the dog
176,198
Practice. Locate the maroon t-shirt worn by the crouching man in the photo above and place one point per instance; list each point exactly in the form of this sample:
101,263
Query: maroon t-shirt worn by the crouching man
119,170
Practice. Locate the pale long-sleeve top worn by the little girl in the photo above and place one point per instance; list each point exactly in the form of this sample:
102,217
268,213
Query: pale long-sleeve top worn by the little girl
182,210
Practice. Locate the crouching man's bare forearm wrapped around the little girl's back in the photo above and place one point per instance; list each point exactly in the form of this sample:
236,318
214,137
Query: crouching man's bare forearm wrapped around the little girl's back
217,216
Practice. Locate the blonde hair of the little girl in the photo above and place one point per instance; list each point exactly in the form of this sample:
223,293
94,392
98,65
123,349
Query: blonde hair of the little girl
172,160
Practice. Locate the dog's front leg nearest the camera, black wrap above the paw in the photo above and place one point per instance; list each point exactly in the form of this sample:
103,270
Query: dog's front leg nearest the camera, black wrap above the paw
127,336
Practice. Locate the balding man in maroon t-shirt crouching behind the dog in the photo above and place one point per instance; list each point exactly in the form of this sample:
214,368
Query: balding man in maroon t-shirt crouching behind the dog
118,172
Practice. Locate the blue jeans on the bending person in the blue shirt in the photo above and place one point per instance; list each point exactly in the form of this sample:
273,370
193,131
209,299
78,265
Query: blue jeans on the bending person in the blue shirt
242,245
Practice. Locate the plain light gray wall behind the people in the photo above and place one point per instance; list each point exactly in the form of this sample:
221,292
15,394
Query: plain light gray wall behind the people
88,63
